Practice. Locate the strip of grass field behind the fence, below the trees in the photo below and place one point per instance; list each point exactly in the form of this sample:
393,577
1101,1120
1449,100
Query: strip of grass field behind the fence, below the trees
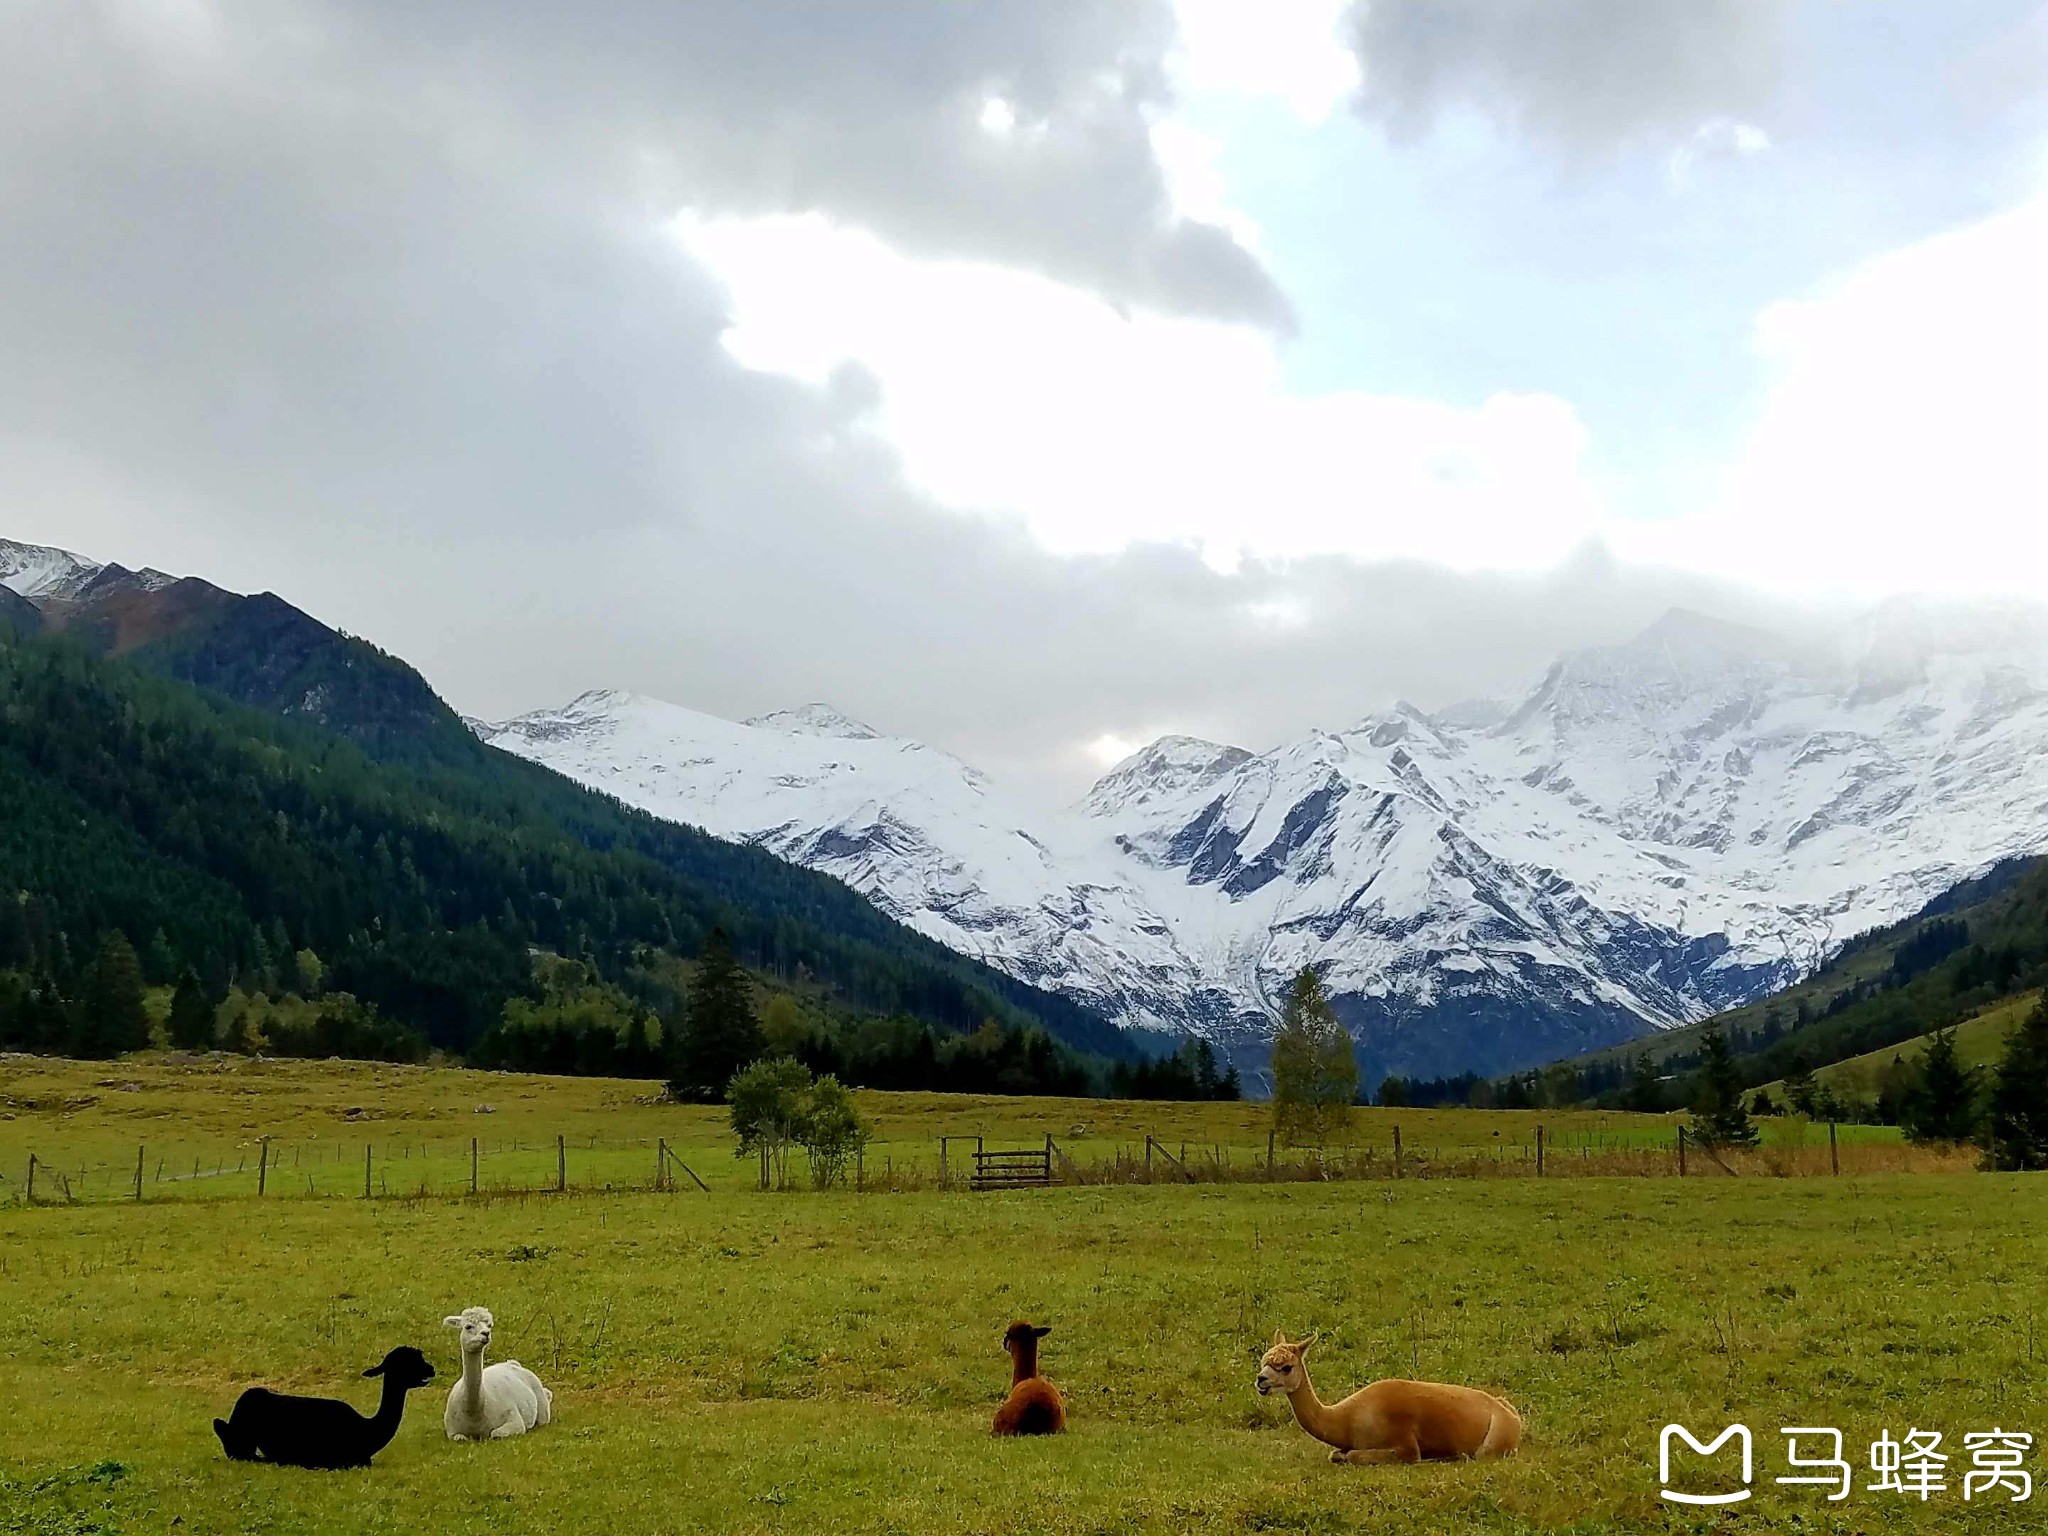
198,1132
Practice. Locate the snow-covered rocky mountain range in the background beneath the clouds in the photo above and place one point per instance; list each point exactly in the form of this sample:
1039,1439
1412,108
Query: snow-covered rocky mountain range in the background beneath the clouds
1654,833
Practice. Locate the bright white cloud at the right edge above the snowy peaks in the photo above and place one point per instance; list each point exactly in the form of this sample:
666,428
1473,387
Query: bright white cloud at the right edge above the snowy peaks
1904,439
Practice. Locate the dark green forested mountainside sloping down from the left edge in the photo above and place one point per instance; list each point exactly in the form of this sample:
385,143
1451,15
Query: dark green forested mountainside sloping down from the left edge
222,839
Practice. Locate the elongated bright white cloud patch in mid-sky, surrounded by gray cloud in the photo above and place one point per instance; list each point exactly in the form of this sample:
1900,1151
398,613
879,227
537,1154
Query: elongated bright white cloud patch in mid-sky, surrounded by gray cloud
1011,394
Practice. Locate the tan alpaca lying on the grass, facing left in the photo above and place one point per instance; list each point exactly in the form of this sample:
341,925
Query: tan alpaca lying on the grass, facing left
1392,1420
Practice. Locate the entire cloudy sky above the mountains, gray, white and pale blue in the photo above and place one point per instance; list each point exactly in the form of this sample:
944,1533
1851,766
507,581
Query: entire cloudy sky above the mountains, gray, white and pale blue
1029,376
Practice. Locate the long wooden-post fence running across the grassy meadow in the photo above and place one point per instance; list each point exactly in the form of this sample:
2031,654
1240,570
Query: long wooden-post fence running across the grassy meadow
269,1168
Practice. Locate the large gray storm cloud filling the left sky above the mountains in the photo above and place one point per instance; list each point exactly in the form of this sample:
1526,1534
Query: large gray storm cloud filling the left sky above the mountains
374,308
